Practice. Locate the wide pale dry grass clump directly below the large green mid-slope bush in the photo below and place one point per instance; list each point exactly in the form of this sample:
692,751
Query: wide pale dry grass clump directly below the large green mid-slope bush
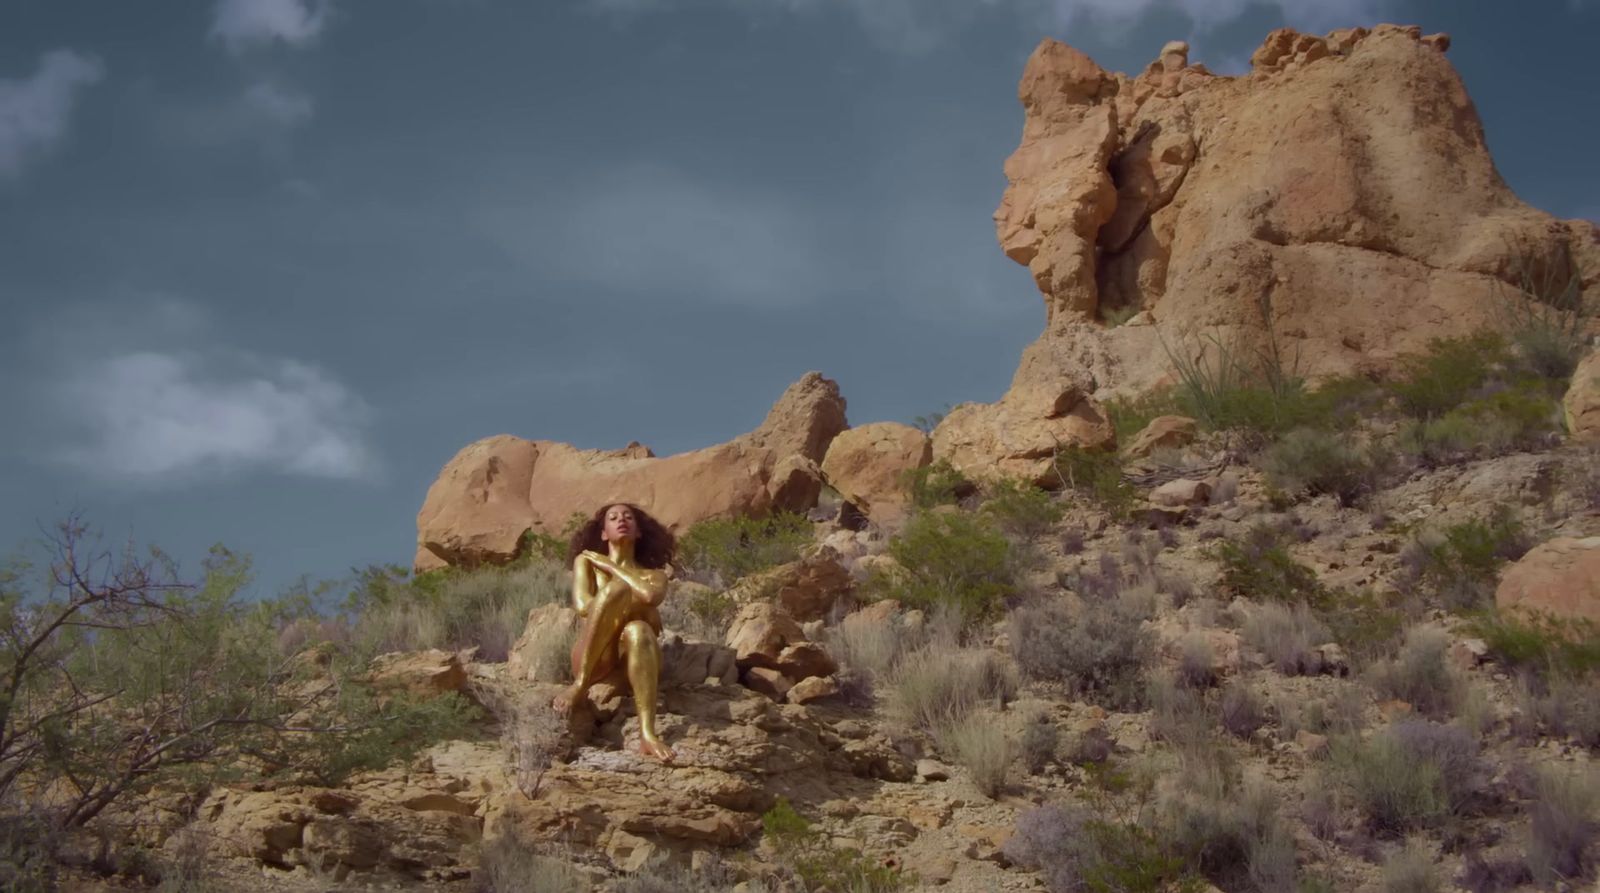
937,689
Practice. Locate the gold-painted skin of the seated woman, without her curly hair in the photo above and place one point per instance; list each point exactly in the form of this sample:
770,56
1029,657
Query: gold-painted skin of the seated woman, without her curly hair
618,599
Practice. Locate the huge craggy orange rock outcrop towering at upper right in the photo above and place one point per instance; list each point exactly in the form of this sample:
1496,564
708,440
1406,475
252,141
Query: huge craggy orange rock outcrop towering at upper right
1342,194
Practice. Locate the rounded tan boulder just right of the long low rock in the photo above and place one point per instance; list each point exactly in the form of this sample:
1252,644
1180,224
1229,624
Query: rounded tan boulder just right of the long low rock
866,467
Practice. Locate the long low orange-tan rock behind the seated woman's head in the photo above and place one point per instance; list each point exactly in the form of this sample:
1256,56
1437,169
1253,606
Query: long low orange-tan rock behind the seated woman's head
498,489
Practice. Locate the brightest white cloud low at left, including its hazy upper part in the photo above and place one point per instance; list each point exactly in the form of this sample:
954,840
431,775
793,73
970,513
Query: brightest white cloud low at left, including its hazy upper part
150,393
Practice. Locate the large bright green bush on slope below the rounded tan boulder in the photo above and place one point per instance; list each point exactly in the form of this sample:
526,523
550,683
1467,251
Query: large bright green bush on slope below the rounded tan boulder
950,559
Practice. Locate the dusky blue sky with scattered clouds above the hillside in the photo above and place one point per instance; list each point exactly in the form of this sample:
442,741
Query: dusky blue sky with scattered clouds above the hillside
270,263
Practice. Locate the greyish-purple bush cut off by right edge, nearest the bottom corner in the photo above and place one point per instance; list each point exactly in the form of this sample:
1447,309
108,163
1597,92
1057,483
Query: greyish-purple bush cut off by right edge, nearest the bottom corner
1566,827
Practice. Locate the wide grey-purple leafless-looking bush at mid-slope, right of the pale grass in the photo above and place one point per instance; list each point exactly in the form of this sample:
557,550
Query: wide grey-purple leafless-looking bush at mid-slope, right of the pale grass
1098,652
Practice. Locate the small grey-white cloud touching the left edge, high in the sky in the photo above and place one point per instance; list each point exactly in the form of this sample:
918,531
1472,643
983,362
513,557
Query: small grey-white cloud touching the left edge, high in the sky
34,113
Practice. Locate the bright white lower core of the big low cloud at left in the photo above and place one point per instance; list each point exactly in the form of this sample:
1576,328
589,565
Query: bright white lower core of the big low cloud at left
162,417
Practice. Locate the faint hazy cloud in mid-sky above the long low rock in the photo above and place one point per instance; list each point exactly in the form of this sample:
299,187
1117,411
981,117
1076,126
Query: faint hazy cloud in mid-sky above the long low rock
646,230
